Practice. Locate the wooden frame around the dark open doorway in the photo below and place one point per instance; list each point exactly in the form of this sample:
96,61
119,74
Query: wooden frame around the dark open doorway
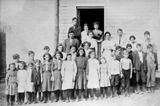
90,7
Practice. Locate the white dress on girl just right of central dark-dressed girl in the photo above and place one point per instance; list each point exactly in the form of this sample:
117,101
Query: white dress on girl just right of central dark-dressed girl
93,68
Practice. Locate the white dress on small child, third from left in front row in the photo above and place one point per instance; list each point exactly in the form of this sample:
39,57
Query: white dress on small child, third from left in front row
29,83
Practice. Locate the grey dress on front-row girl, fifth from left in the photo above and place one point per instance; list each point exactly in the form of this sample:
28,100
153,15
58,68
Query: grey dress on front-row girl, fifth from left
46,77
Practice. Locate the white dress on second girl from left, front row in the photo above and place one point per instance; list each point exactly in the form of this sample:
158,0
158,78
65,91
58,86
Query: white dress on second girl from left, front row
22,80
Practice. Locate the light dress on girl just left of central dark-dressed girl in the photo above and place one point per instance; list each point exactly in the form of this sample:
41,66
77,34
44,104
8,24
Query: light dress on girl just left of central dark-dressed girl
68,71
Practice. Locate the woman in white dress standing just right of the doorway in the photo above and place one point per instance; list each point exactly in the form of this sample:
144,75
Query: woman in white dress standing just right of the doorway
107,46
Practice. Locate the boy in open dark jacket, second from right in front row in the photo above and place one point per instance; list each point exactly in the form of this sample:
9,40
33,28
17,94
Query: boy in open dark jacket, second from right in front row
139,67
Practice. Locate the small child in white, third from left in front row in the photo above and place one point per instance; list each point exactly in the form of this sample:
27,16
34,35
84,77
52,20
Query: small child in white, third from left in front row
30,83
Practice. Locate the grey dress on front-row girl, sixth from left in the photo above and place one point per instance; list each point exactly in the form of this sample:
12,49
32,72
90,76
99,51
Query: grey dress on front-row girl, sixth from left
57,83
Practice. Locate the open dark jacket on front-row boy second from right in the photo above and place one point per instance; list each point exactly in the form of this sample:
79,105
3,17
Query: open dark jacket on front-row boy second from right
136,61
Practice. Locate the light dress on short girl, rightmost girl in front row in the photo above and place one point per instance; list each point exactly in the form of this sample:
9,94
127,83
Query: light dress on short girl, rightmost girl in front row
104,74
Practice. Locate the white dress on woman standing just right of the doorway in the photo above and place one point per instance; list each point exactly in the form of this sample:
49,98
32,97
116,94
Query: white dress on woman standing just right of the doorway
107,45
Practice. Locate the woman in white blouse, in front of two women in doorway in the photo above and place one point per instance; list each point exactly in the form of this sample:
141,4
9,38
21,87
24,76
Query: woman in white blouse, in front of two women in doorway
92,41
